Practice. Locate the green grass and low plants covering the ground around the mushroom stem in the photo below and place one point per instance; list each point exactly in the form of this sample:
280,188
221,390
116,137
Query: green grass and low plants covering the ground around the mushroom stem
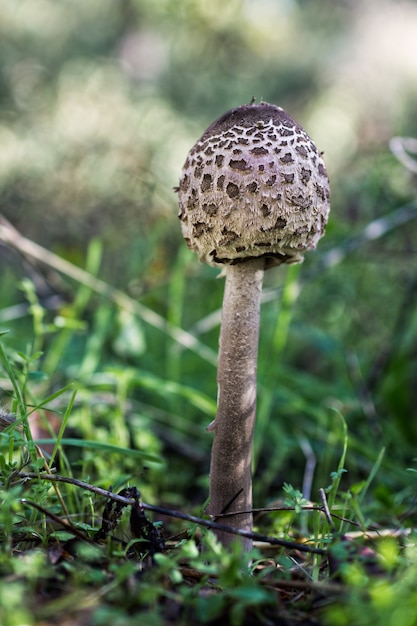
102,396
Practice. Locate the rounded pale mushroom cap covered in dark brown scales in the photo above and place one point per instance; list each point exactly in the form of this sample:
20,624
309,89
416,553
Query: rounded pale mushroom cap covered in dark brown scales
254,185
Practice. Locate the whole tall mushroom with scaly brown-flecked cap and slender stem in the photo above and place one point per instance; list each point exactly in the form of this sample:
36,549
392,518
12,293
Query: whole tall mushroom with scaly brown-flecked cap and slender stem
253,193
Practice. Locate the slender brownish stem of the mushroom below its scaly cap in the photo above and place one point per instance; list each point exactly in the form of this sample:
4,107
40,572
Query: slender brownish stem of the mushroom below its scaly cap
231,457
